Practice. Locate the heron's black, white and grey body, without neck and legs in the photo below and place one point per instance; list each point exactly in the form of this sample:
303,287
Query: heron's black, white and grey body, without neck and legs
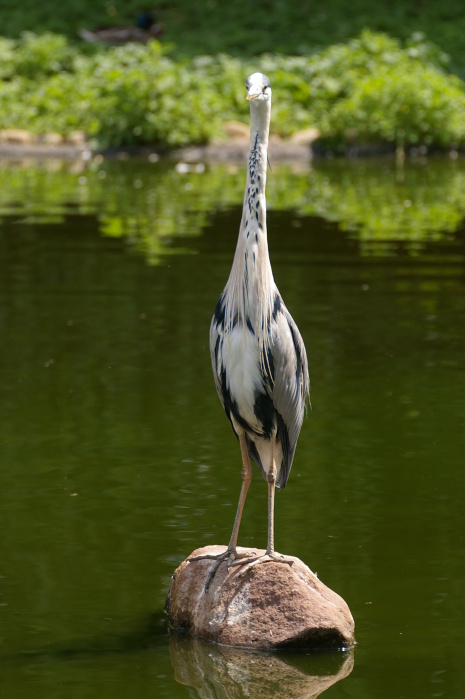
261,374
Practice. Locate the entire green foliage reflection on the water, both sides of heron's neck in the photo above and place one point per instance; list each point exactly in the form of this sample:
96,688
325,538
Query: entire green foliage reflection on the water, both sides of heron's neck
152,205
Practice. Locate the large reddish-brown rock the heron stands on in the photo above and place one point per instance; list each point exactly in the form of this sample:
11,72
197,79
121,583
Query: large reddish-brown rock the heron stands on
268,605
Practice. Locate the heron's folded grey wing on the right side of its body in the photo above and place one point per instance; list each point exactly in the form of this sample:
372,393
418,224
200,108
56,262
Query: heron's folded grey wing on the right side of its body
291,386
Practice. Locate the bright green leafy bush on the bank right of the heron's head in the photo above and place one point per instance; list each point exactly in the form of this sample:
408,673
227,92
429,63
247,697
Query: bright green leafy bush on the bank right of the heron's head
372,89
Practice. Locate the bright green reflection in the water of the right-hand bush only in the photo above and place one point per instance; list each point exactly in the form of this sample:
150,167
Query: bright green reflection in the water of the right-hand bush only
383,203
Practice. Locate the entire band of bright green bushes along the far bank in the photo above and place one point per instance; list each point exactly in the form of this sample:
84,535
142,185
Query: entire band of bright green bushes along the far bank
369,89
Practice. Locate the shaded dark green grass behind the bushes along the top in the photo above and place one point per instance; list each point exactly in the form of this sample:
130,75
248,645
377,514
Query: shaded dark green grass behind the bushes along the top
247,29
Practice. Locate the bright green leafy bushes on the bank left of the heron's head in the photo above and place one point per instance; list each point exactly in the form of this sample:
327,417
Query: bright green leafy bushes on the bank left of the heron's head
120,96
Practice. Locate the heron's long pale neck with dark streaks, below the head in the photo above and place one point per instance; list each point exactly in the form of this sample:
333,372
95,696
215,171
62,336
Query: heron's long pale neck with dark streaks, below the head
251,279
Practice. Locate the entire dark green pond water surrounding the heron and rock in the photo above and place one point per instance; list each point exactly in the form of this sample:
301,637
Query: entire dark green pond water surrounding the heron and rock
116,459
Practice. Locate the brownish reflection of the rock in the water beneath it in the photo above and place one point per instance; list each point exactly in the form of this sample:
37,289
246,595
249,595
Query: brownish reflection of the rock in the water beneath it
218,672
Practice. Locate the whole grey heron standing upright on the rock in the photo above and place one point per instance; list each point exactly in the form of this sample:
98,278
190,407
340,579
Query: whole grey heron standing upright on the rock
258,356
